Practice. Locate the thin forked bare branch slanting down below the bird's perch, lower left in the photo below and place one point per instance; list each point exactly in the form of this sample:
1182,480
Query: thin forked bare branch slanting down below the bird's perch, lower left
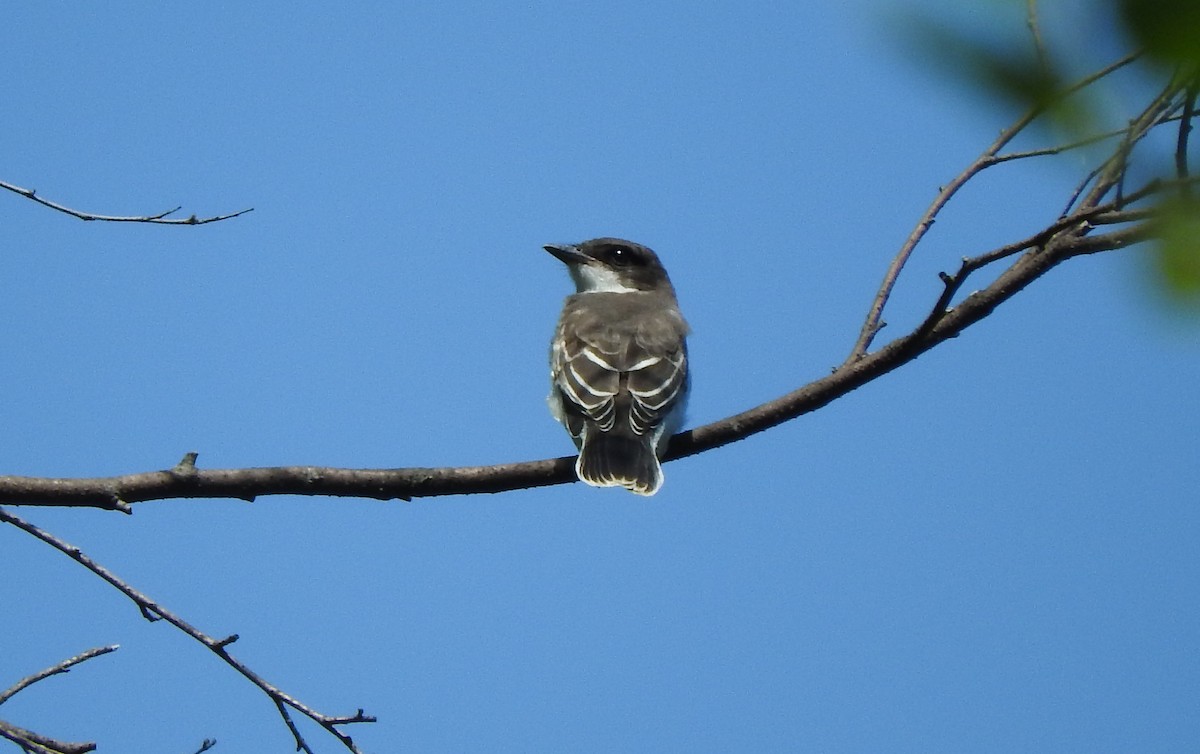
218,647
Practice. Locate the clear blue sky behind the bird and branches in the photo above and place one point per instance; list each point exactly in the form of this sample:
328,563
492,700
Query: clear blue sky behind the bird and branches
989,550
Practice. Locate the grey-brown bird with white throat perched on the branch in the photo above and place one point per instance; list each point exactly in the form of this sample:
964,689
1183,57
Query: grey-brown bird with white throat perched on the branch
619,363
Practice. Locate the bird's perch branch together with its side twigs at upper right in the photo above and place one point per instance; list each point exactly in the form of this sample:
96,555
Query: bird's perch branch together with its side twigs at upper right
1099,202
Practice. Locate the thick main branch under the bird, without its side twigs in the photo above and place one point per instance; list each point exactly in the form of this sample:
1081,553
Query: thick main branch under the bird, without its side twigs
187,481
